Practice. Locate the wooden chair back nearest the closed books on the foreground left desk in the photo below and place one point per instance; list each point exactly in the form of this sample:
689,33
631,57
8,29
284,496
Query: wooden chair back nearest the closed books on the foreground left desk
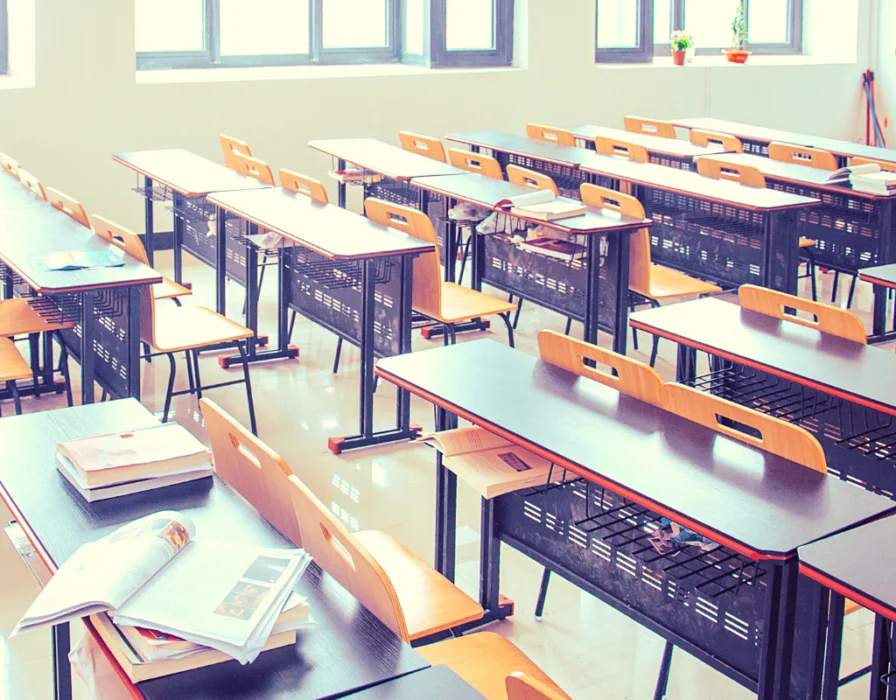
252,469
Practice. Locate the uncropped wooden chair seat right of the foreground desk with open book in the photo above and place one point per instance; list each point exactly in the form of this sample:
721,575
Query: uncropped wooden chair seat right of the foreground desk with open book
429,601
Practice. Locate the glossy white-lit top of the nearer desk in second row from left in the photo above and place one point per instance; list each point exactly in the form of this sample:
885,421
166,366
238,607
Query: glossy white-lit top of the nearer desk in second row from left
333,232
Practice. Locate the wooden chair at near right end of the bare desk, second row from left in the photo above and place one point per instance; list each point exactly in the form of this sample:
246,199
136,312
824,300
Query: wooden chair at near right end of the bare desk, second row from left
446,303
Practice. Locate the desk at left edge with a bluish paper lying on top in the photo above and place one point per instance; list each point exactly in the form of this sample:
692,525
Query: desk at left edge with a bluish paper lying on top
103,302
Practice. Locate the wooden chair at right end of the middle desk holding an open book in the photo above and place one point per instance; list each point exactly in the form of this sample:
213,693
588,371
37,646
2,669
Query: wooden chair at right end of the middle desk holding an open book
648,283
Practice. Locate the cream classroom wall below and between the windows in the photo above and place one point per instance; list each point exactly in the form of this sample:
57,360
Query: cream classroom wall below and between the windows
87,102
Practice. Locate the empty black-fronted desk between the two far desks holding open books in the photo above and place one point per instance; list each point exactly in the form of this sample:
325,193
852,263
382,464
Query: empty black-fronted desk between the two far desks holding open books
713,229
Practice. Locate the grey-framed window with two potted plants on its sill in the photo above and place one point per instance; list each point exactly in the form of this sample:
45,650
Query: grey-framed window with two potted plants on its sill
638,30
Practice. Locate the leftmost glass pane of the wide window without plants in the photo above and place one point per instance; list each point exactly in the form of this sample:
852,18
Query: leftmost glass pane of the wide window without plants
169,25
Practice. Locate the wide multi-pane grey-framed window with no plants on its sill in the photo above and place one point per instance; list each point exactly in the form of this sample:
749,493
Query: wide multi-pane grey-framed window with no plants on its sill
227,33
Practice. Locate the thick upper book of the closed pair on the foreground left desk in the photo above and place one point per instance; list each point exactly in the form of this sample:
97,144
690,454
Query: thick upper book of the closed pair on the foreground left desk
160,450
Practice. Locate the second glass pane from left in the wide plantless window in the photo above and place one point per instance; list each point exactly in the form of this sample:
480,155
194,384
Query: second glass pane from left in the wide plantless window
264,27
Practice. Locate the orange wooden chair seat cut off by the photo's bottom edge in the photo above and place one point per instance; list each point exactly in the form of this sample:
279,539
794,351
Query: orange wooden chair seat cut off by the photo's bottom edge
484,660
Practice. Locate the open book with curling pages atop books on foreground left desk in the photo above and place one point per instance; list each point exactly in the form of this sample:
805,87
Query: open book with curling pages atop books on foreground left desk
154,573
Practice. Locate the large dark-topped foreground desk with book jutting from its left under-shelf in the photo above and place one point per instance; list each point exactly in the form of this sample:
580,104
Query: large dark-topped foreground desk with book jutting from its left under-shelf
637,464
